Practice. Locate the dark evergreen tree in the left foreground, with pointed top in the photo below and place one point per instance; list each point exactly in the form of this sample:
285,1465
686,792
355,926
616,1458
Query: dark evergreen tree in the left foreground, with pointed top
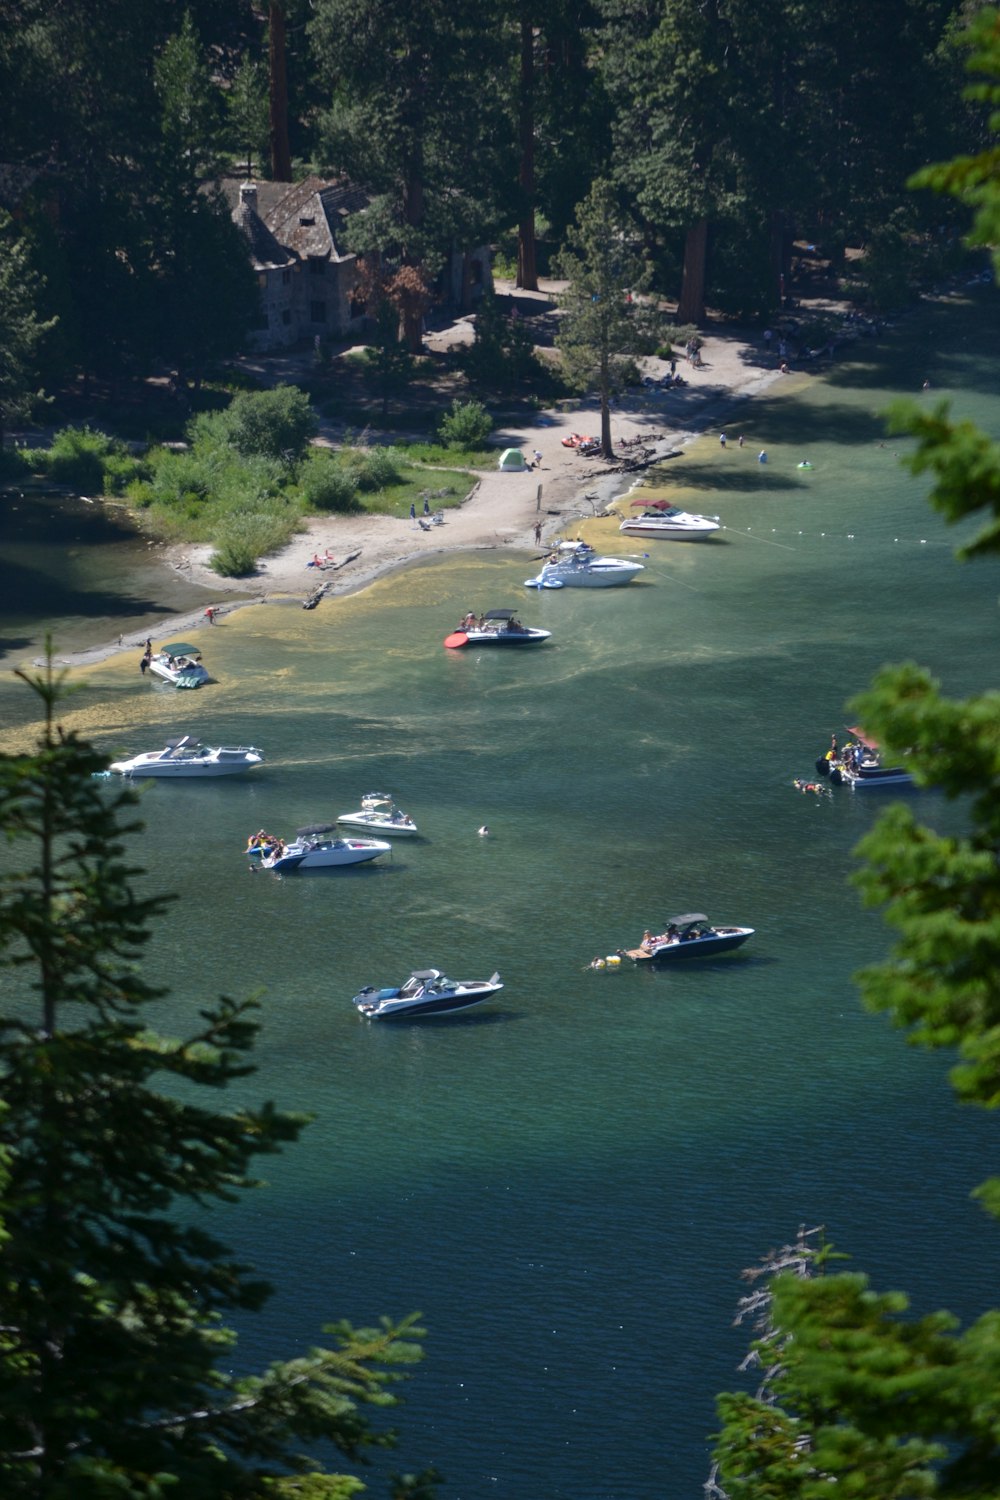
113,1295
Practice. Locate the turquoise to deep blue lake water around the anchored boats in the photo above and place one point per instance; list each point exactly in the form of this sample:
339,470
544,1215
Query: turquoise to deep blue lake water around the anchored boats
569,1181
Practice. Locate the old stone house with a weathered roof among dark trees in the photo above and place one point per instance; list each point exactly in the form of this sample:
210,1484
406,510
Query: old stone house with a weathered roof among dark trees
308,281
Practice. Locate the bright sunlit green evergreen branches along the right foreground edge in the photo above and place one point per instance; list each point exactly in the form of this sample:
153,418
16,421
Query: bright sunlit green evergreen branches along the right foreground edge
863,1396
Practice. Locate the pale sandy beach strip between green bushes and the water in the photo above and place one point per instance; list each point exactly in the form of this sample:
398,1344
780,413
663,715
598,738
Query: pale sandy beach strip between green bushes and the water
501,511
